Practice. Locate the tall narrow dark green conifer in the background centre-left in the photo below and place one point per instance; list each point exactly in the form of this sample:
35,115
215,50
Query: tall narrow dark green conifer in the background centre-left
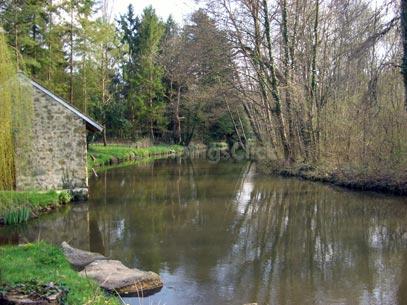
142,73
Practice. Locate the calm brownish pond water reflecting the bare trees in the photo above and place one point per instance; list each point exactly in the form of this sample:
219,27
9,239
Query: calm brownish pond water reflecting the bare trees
219,234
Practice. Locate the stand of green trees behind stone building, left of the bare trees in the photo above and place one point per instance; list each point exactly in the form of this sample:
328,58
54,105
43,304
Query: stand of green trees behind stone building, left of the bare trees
117,75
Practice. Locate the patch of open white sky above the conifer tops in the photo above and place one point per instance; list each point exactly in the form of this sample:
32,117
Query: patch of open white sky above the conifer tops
177,8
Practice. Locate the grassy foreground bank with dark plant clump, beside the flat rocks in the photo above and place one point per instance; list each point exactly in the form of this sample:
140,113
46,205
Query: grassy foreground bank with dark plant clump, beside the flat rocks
40,270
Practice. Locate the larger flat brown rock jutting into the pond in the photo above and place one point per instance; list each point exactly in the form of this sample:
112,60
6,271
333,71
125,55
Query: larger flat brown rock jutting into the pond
114,276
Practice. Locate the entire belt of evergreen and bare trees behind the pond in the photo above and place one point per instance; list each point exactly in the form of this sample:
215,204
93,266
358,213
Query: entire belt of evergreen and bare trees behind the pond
314,81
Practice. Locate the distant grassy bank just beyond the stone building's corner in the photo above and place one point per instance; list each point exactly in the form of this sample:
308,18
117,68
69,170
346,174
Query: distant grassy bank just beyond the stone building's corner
99,155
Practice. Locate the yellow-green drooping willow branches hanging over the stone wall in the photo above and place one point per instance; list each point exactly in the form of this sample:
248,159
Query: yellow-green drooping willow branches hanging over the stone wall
15,117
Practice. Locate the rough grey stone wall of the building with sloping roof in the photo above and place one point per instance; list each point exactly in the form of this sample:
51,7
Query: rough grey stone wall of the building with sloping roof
57,159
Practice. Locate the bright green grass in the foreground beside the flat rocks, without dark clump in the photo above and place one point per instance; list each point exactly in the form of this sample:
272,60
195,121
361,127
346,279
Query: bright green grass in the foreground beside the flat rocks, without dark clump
43,263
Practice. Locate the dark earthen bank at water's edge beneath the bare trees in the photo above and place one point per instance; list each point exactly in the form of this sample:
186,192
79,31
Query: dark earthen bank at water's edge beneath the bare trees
356,179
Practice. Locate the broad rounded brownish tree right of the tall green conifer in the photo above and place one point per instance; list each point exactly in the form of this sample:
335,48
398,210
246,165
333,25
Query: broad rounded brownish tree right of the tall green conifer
207,74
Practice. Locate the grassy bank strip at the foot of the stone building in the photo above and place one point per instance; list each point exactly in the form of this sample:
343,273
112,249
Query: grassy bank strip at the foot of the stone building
18,207
